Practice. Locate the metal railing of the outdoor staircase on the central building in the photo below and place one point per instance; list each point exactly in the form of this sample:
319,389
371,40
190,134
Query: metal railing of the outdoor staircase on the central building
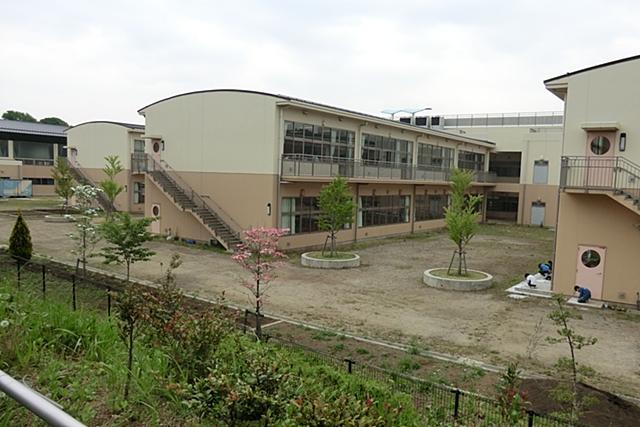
149,164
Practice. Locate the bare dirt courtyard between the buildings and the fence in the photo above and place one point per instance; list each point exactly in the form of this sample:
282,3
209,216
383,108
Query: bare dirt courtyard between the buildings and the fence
386,299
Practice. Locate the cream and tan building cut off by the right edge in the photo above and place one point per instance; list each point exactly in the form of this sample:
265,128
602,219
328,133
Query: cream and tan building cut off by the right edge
598,233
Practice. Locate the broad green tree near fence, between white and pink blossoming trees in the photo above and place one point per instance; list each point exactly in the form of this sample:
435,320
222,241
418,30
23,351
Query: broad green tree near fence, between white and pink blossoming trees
126,237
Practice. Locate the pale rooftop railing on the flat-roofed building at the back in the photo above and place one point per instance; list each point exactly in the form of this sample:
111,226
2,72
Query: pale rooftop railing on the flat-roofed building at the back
545,118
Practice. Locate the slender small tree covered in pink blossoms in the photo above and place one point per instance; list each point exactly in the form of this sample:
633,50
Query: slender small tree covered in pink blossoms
260,256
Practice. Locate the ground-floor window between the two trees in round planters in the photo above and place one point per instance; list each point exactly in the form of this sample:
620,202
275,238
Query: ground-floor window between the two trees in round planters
383,210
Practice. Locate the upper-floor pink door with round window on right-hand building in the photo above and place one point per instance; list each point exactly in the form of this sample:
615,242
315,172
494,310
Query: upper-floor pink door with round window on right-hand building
600,159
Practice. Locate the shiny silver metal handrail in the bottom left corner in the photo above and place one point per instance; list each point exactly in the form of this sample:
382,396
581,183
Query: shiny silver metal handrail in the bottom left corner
36,403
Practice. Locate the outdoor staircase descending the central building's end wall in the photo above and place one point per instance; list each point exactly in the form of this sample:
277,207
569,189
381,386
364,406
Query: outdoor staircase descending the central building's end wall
220,225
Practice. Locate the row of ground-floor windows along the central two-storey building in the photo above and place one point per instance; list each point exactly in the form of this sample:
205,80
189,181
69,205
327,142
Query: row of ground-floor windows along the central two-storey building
300,214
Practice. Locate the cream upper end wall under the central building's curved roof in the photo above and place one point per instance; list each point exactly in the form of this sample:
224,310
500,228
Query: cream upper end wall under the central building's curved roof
223,132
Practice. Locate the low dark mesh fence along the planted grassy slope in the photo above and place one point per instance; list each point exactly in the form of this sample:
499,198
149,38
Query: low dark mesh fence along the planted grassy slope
458,406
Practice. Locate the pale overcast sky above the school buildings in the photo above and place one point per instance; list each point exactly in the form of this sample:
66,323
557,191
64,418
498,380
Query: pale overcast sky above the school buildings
88,60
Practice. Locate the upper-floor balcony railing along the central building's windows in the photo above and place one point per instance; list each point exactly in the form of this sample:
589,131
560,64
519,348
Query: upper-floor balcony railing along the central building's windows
299,165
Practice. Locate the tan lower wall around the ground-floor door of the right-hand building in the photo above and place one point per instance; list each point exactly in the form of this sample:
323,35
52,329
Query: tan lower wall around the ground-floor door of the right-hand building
598,220
